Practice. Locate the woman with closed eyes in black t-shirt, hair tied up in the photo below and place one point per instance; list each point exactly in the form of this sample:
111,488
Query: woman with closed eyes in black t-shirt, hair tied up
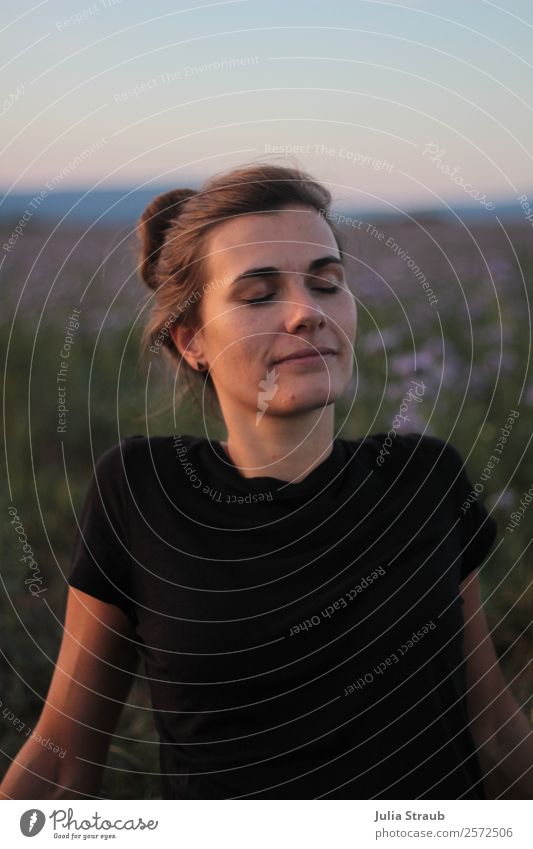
299,601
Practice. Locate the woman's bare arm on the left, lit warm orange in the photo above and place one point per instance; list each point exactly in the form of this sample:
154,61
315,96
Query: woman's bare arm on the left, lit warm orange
91,680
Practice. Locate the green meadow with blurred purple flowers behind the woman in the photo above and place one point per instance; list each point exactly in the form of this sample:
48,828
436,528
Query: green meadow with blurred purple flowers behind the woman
471,347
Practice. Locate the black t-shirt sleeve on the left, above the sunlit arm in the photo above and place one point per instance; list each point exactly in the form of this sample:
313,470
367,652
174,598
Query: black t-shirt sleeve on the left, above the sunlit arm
100,563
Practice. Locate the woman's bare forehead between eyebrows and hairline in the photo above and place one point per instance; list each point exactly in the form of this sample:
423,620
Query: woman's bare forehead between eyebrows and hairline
287,238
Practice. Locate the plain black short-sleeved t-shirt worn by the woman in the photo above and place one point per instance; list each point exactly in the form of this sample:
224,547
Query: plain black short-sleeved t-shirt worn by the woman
300,640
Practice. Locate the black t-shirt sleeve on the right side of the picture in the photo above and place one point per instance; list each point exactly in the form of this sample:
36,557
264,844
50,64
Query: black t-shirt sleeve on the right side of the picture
476,527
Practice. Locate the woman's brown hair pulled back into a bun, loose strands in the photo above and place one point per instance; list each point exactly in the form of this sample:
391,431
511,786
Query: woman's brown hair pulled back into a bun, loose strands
174,231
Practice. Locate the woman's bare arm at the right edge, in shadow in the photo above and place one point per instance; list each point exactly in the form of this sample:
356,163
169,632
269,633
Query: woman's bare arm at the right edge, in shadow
501,732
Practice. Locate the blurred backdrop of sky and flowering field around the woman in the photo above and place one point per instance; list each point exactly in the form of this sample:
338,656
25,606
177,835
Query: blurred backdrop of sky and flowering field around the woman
417,117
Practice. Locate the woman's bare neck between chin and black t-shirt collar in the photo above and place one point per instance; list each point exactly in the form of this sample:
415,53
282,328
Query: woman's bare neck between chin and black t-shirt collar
287,448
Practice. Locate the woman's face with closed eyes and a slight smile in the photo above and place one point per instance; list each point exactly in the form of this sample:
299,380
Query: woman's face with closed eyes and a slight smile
275,288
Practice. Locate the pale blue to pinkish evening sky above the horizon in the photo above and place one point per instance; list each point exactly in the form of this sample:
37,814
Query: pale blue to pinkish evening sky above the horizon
392,104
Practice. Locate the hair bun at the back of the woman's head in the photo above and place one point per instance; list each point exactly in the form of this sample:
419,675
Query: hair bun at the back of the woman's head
154,223
